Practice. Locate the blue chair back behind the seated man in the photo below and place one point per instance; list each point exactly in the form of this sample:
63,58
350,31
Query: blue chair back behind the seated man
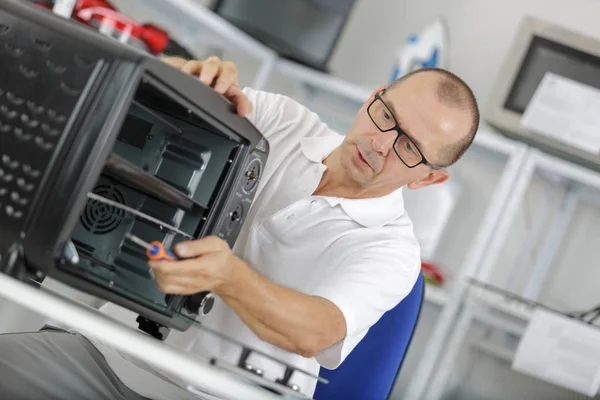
370,370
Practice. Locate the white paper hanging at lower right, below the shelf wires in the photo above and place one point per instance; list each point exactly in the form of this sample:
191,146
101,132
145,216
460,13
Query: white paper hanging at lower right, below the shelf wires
562,351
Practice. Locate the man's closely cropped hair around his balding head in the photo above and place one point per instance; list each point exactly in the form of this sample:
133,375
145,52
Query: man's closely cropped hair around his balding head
452,92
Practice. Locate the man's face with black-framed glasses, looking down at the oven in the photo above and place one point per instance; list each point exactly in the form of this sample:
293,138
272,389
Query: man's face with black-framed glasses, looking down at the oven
367,154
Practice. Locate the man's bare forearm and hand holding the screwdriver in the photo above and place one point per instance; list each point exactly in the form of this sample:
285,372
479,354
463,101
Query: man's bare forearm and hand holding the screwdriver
286,318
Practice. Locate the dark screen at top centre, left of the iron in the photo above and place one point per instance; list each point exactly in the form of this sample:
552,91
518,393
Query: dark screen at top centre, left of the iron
304,31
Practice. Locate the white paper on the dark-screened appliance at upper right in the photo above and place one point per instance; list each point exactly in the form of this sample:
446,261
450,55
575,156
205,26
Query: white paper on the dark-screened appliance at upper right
565,110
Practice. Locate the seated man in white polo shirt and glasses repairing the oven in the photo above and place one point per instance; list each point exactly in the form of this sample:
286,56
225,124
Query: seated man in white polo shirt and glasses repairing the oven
326,248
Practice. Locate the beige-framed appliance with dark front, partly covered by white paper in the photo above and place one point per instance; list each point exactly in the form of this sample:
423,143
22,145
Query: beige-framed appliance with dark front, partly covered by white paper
540,48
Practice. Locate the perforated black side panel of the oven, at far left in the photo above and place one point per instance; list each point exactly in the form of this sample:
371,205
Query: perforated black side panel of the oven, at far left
41,81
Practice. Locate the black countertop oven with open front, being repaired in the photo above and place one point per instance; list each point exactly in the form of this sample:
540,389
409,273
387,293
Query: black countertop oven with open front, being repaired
73,102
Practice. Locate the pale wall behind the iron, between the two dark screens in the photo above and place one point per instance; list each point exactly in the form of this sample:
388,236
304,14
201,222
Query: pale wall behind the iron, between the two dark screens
480,34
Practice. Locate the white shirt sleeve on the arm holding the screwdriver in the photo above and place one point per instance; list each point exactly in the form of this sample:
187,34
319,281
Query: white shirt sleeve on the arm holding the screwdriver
364,286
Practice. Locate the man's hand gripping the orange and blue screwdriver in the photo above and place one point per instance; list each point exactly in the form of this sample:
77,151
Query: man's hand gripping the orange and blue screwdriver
208,264
